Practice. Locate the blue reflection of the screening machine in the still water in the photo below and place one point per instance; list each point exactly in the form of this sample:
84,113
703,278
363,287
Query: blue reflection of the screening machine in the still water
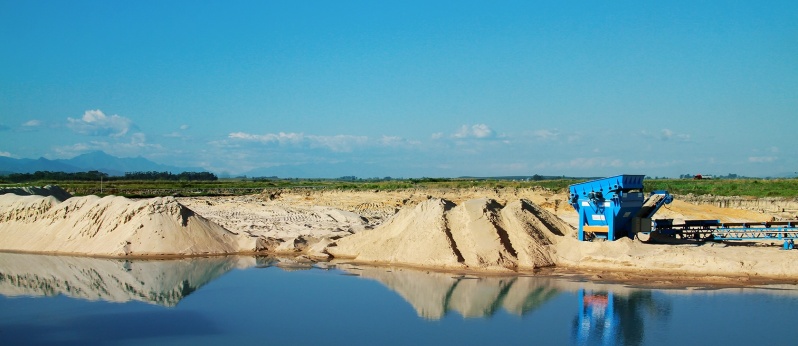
597,320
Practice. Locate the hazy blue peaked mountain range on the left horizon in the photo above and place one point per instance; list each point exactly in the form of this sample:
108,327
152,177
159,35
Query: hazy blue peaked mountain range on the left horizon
93,161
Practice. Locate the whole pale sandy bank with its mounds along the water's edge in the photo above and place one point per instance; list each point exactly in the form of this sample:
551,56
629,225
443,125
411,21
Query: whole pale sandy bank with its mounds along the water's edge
476,230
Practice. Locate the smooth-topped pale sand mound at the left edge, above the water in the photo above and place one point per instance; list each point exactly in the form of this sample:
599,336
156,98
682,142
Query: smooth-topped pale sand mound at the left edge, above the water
111,226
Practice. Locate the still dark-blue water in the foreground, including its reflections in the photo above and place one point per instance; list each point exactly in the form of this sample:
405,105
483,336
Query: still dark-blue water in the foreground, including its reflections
249,300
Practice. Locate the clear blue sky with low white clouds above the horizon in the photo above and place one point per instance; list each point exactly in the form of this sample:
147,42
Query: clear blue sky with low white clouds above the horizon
406,88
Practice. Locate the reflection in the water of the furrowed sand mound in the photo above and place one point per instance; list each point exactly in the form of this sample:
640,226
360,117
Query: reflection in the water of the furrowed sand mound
432,294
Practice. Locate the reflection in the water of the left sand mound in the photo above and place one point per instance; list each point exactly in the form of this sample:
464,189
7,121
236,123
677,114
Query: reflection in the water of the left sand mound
163,282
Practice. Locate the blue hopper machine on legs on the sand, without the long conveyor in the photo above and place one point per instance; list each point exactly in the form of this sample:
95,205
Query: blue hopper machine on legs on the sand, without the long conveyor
615,207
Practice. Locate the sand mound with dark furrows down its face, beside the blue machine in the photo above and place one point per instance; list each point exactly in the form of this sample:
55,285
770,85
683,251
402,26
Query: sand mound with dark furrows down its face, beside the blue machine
478,234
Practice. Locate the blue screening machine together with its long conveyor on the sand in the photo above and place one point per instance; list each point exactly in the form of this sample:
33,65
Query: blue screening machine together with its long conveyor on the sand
615,207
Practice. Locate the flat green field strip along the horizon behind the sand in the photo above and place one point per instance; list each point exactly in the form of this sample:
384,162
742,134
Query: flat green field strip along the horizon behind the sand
721,187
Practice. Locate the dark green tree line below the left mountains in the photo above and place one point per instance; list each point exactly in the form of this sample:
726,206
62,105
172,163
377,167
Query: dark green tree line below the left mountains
97,175
